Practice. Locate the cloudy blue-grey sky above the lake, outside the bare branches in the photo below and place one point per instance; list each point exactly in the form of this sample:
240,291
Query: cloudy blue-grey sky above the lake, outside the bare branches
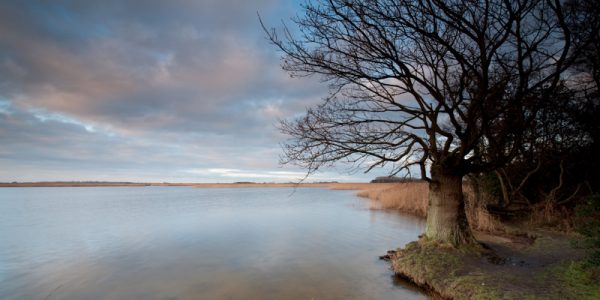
148,91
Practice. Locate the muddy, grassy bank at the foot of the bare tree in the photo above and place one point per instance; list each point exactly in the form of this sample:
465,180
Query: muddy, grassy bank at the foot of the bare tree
508,267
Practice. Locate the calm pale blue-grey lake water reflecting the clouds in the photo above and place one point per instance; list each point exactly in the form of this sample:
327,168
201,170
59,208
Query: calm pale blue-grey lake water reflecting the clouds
188,243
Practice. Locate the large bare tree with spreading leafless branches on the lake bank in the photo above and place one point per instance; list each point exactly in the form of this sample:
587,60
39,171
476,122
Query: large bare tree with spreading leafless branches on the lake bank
443,87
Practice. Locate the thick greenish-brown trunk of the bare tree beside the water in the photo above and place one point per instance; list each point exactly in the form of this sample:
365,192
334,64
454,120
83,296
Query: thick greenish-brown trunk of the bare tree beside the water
446,217
